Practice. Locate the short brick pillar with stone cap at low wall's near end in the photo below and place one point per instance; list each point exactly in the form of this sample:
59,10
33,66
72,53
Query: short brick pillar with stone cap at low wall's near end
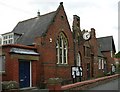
54,84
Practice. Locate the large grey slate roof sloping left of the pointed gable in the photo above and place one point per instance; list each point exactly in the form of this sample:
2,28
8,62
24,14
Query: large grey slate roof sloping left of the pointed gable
33,27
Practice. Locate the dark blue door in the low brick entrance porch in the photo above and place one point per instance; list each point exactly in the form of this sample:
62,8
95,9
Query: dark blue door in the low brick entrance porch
24,73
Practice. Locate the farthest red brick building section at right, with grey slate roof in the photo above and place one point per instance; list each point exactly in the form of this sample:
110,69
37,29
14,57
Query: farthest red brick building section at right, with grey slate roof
108,50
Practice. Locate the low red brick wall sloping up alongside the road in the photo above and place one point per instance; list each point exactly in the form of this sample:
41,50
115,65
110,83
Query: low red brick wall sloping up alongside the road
89,83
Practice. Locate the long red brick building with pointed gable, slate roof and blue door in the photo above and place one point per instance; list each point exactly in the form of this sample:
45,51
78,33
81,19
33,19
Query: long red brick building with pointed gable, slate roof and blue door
45,47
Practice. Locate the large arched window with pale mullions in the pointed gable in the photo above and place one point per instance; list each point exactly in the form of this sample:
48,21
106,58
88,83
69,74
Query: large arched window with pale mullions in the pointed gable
62,49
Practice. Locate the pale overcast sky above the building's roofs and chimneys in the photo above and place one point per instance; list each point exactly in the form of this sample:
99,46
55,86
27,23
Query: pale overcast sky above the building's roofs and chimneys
99,14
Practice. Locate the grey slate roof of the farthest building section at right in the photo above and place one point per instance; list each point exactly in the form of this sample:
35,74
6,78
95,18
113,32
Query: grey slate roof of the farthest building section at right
106,43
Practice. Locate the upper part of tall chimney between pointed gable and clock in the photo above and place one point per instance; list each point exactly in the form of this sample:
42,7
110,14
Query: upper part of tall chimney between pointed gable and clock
76,22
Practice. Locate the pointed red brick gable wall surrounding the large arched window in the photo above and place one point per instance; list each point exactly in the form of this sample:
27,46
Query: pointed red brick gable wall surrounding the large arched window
47,49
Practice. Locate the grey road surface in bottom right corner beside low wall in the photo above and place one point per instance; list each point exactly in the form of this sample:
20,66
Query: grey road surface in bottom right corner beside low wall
112,85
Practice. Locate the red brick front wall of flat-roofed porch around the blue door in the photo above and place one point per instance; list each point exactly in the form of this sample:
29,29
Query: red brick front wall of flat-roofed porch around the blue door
12,66
